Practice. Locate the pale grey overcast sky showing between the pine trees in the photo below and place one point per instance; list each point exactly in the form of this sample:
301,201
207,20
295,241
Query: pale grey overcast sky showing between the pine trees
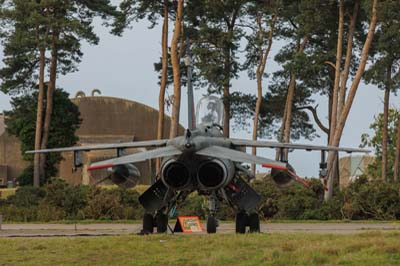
123,67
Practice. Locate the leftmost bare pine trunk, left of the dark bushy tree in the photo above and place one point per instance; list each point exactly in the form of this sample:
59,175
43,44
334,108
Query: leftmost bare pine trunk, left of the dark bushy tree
39,120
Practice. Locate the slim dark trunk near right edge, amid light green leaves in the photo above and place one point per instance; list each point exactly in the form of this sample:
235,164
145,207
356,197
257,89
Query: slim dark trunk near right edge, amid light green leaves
385,132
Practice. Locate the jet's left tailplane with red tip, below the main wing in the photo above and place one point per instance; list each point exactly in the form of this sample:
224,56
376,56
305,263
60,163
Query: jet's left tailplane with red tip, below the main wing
136,157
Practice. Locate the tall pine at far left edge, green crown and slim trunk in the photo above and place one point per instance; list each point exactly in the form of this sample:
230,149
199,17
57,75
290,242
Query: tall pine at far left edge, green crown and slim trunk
22,58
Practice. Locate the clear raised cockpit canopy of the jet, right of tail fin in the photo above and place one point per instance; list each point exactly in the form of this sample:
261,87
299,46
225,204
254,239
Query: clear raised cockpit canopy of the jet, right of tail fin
210,111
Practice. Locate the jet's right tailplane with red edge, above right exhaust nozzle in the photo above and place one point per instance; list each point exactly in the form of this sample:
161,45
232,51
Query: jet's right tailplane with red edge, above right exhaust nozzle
238,156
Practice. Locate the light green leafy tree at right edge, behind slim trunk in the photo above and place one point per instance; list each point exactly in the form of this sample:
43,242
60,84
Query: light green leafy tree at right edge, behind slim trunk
375,141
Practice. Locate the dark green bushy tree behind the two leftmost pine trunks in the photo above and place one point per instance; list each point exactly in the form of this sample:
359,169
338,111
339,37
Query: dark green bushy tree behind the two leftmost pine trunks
21,122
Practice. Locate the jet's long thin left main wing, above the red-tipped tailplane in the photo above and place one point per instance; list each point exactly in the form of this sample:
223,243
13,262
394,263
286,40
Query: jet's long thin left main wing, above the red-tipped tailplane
136,144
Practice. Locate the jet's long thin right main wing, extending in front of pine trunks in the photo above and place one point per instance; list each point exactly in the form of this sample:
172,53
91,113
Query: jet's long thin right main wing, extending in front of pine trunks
272,144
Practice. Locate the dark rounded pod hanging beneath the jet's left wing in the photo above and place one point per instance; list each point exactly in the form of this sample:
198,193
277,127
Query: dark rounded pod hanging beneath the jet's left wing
126,175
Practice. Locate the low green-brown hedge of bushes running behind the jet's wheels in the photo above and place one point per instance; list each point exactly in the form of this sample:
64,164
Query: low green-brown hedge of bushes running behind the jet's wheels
57,200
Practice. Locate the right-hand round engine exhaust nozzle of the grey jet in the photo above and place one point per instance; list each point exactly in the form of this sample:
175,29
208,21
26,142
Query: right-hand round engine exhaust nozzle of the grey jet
214,174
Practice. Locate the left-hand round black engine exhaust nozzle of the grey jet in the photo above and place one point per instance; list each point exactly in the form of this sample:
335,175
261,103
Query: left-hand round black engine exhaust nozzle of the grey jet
175,174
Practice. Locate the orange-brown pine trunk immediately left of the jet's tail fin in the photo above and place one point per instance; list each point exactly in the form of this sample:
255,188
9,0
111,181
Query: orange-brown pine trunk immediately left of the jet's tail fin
176,71
